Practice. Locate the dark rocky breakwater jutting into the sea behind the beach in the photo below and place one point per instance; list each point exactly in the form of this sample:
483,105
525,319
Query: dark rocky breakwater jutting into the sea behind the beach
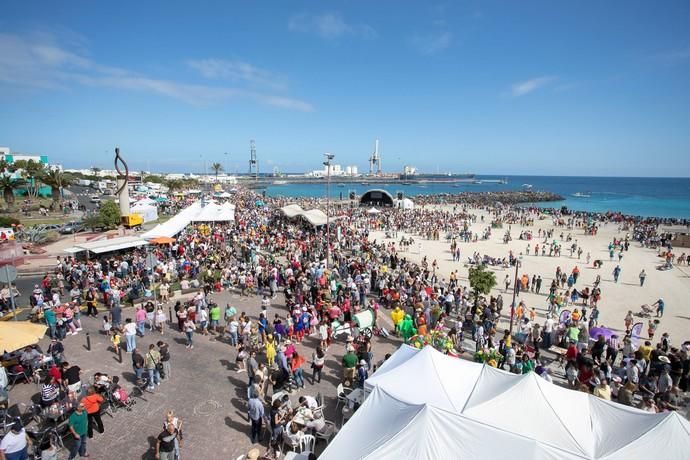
488,198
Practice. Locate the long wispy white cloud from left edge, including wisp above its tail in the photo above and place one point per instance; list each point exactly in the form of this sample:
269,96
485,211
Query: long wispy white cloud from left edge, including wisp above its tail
40,63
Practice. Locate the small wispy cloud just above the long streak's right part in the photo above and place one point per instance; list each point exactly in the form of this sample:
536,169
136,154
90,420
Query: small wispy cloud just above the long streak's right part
237,71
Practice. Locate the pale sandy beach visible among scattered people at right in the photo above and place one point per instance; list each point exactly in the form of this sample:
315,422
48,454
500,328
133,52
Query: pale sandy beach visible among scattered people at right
617,298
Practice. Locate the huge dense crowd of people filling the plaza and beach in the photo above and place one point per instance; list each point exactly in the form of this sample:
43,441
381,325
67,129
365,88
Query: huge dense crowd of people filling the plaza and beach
263,254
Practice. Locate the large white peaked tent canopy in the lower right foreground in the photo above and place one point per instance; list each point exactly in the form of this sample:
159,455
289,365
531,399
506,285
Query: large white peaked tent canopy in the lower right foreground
426,405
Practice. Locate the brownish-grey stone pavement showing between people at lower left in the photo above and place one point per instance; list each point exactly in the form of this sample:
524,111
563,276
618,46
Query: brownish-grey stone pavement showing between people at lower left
204,391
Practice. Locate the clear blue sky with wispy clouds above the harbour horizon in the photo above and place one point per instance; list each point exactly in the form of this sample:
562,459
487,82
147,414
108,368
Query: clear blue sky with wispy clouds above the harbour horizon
535,87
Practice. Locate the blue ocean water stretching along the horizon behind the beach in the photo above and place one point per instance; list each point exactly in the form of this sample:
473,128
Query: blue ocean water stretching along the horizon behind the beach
659,197
